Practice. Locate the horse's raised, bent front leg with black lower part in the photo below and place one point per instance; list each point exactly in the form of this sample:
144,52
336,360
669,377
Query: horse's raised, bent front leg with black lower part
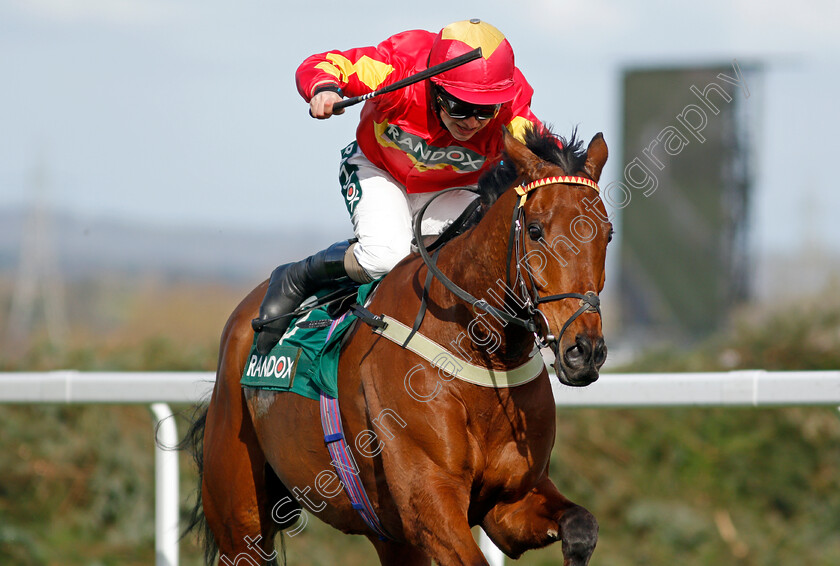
540,518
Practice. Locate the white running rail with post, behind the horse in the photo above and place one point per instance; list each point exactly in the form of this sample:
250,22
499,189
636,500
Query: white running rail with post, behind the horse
756,388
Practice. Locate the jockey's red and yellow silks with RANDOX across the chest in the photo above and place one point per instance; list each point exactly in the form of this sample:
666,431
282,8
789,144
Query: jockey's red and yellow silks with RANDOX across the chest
400,132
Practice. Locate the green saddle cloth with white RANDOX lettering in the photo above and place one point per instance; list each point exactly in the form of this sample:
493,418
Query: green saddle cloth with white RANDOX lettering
305,361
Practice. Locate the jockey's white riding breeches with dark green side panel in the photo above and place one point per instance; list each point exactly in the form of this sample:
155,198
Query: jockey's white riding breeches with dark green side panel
383,213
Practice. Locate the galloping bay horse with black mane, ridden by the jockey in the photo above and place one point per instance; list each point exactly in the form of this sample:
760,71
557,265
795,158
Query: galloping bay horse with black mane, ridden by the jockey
437,455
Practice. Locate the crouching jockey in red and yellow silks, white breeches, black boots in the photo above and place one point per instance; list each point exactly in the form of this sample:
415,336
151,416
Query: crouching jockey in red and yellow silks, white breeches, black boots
435,134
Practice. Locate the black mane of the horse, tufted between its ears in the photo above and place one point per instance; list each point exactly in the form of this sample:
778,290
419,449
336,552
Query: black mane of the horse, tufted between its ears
545,144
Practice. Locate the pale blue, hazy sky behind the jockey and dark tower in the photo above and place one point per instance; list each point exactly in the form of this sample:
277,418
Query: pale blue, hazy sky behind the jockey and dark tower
186,113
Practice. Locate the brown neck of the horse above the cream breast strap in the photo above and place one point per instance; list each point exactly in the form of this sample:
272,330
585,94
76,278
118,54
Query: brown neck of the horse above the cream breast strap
477,262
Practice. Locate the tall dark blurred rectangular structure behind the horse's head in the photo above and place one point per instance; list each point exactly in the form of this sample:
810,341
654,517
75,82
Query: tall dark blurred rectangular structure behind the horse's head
685,260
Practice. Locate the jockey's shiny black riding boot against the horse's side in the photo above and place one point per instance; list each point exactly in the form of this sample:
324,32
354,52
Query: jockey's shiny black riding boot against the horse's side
289,285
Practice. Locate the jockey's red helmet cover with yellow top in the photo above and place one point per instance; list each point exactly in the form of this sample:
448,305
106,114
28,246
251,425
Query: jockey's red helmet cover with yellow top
487,80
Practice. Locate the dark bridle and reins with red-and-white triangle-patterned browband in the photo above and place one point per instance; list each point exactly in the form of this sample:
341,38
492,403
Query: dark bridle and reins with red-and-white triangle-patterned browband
528,296
